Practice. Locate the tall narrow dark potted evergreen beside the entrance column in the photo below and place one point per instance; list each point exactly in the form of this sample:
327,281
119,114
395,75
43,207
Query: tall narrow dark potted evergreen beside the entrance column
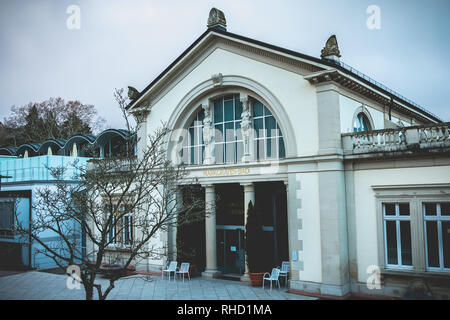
254,235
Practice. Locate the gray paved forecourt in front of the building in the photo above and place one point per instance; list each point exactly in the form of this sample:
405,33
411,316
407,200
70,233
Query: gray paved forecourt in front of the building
47,286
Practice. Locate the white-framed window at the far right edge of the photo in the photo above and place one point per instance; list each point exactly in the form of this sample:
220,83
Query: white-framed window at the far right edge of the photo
437,235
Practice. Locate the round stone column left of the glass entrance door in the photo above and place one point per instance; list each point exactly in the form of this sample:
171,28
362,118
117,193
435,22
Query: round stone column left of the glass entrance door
210,233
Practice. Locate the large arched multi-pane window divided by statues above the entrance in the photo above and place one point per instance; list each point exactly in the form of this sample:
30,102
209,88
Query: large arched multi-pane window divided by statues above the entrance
267,139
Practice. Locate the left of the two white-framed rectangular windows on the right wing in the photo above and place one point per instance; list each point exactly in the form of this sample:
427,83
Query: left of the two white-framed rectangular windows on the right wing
397,235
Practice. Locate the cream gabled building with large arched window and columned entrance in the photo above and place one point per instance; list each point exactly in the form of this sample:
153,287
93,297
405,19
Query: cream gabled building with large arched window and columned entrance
353,178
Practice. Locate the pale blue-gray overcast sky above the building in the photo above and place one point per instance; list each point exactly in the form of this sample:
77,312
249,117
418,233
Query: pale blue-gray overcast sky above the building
123,43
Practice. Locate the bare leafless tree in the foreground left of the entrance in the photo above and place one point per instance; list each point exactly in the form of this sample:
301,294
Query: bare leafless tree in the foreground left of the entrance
128,201
